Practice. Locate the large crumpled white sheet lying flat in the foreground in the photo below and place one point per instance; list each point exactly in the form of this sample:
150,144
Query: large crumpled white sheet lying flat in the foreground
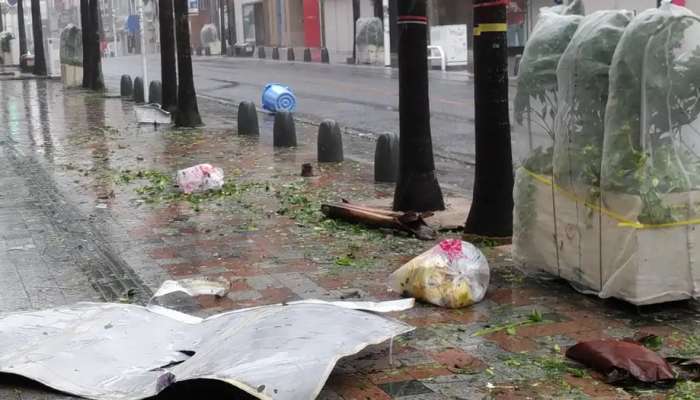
128,352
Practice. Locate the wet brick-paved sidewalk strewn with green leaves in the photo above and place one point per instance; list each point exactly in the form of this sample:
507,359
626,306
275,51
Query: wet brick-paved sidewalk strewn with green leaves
88,212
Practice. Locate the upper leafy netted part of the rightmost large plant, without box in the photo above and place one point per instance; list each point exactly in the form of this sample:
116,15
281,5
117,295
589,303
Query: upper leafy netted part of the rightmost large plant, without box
655,101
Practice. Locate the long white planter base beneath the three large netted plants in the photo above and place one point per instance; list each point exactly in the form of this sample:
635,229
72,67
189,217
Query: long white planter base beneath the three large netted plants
595,253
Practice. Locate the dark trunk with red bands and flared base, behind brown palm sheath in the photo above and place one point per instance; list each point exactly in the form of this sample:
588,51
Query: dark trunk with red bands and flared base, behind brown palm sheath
417,188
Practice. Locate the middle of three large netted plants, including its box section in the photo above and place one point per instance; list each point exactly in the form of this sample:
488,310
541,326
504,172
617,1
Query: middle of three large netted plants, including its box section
583,82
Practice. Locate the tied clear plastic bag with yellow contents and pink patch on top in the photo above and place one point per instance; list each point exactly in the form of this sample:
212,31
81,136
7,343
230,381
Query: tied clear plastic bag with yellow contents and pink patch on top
452,274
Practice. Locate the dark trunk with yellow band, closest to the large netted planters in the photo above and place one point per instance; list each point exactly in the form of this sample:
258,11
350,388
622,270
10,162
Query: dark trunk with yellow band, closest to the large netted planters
491,213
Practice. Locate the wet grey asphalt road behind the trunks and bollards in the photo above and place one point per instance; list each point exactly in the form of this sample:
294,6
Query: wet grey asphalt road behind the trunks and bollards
363,98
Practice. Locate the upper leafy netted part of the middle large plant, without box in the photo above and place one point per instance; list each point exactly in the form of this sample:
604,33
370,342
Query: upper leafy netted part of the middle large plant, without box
583,82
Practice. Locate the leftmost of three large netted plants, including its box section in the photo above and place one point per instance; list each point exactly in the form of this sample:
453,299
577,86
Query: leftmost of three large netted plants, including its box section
535,108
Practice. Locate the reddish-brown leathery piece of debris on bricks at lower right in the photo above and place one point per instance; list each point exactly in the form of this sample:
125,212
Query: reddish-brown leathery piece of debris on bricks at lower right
619,360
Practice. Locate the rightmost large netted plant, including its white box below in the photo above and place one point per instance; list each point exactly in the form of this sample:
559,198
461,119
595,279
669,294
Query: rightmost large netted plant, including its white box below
650,171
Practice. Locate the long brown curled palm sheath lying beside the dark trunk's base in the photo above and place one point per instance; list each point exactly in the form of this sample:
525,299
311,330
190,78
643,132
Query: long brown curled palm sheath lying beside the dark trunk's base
410,222
